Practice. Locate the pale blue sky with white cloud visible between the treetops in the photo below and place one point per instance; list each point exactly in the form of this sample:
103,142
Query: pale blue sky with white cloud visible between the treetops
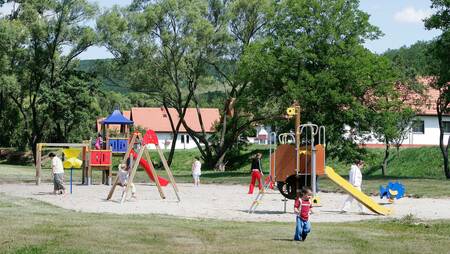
399,20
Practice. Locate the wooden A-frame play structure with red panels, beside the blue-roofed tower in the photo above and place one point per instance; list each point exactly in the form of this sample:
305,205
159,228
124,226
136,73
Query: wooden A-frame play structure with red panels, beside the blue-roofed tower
137,155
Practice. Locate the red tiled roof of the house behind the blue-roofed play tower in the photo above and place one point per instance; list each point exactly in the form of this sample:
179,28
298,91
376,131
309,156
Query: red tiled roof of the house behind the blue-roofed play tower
157,119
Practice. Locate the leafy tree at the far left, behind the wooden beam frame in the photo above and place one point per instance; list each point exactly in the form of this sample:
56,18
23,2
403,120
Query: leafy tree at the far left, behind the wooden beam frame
43,39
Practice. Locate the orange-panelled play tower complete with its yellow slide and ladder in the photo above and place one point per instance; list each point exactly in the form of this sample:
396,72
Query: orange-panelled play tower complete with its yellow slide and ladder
300,159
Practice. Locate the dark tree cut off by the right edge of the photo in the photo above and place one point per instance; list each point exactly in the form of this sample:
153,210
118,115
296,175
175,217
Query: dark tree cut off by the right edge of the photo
441,69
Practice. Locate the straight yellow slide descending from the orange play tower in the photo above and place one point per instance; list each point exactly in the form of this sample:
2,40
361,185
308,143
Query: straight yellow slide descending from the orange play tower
357,194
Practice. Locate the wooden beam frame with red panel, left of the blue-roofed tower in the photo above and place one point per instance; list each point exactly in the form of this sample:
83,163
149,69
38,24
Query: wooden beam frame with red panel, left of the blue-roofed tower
90,160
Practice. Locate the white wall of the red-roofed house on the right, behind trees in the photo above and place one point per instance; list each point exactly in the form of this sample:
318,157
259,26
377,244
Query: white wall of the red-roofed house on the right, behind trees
429,137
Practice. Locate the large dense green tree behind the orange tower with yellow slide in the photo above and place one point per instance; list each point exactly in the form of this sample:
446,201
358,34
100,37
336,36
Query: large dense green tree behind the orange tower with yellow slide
315,56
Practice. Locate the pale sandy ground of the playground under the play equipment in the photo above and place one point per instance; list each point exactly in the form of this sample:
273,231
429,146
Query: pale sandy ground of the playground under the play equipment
225,202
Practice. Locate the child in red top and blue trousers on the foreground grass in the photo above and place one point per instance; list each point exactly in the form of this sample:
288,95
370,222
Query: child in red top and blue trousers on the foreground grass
302,209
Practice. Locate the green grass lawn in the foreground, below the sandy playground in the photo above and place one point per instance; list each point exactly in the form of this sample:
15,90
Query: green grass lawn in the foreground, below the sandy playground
30,226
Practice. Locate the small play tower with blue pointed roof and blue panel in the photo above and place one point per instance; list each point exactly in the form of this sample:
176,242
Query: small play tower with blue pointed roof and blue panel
116,139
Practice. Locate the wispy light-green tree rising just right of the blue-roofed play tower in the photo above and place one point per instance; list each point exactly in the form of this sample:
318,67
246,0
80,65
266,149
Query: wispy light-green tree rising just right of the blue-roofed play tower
163,46
